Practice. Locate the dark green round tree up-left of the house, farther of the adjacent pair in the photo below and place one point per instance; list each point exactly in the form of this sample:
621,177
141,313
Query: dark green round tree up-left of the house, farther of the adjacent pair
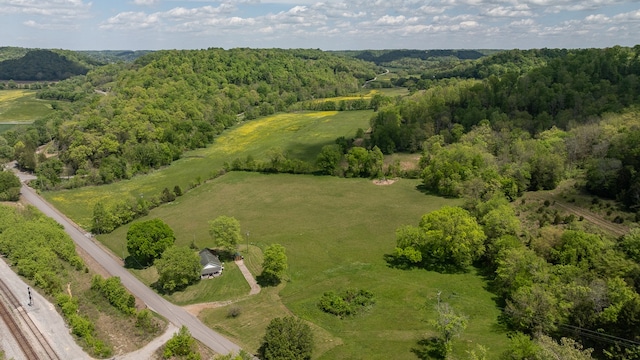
147,240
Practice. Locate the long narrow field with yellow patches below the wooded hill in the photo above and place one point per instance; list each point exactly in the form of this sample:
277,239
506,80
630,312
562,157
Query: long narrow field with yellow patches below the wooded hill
302,135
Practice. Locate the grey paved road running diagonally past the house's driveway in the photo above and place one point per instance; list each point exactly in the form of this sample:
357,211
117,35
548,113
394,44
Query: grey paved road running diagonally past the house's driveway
173,313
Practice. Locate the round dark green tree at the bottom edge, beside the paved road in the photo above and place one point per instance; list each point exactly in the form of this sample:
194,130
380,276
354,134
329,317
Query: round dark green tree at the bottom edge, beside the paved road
287,338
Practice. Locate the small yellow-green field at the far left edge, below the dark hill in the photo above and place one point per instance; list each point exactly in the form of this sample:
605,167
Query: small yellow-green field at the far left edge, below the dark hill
22,106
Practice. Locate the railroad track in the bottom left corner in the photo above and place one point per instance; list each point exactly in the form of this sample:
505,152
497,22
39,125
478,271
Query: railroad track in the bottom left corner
10,309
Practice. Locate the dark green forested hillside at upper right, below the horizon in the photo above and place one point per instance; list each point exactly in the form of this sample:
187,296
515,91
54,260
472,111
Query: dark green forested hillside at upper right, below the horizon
565,90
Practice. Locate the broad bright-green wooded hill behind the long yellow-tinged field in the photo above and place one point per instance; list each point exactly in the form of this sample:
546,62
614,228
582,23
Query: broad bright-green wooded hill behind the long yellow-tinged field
171,101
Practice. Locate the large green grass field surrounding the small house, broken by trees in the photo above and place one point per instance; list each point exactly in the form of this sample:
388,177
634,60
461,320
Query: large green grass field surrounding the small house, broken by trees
336,232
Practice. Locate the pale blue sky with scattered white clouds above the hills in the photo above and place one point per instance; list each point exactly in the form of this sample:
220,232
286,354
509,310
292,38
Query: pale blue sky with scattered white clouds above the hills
324,24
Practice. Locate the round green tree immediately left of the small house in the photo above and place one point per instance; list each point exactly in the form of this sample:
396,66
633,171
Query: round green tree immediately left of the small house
178,268
